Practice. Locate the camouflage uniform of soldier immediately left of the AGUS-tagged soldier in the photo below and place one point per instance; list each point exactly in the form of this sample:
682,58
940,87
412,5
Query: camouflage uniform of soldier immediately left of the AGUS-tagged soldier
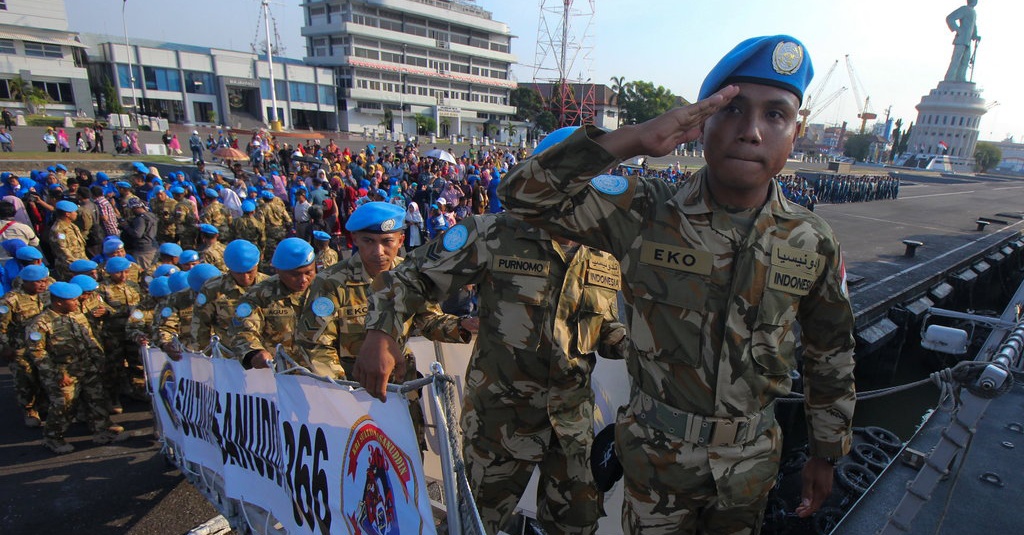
215,310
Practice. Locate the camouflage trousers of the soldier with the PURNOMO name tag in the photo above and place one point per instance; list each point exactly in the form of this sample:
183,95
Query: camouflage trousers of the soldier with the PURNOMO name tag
568,500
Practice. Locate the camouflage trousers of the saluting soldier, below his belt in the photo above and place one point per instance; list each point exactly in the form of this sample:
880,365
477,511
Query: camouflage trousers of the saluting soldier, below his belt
676,487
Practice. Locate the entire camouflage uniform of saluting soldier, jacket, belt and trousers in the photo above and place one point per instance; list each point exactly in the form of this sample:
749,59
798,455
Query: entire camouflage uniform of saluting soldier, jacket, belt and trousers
713,308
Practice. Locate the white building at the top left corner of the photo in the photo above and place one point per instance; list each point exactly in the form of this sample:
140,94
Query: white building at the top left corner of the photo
37,51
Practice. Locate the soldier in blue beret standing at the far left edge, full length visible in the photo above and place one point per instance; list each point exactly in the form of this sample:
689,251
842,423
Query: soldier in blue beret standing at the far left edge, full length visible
17,310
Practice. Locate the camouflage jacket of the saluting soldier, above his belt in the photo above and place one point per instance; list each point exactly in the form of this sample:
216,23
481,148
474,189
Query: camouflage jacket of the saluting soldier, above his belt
712,313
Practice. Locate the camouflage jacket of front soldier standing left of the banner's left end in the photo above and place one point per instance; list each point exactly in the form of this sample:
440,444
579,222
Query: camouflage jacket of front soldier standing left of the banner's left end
59,343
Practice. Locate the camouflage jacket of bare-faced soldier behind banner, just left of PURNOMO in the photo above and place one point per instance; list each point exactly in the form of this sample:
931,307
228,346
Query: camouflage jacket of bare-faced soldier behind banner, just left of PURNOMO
332,326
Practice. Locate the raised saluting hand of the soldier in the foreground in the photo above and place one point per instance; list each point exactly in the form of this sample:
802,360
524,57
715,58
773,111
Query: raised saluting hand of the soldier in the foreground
662,135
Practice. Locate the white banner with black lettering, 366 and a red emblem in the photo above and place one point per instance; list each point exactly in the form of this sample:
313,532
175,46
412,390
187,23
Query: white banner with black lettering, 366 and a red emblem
321,459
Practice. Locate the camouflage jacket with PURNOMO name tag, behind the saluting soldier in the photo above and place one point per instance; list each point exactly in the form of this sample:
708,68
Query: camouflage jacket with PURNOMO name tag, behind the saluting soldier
543,315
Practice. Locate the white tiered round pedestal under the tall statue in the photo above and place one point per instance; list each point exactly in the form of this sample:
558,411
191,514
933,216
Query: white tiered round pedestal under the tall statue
949,115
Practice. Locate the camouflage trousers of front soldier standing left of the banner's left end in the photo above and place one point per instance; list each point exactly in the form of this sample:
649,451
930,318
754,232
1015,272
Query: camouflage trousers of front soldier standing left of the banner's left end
86,389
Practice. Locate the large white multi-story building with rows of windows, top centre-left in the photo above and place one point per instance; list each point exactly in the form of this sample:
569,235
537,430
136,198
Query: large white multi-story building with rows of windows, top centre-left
395,60
